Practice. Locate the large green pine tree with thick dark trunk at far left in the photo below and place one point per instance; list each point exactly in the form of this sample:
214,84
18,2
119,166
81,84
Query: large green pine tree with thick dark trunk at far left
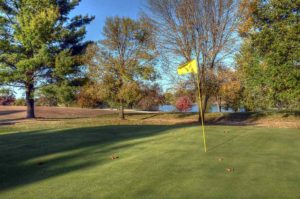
40,44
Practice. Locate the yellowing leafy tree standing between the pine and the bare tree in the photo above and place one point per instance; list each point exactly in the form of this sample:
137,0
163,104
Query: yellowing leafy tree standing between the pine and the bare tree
122,60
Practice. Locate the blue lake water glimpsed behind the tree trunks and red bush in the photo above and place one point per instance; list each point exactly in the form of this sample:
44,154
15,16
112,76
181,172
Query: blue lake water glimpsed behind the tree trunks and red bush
194,109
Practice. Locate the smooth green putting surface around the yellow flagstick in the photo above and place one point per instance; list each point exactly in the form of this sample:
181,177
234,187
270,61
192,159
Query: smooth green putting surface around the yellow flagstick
72,160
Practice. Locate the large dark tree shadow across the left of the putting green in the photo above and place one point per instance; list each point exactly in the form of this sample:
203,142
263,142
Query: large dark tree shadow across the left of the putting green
33,156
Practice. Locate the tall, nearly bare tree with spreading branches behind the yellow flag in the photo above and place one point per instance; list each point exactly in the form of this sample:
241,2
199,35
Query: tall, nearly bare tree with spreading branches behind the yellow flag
204,30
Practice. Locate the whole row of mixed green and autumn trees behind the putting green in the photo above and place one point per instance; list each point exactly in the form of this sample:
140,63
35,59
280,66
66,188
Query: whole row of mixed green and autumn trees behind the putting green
43,51
